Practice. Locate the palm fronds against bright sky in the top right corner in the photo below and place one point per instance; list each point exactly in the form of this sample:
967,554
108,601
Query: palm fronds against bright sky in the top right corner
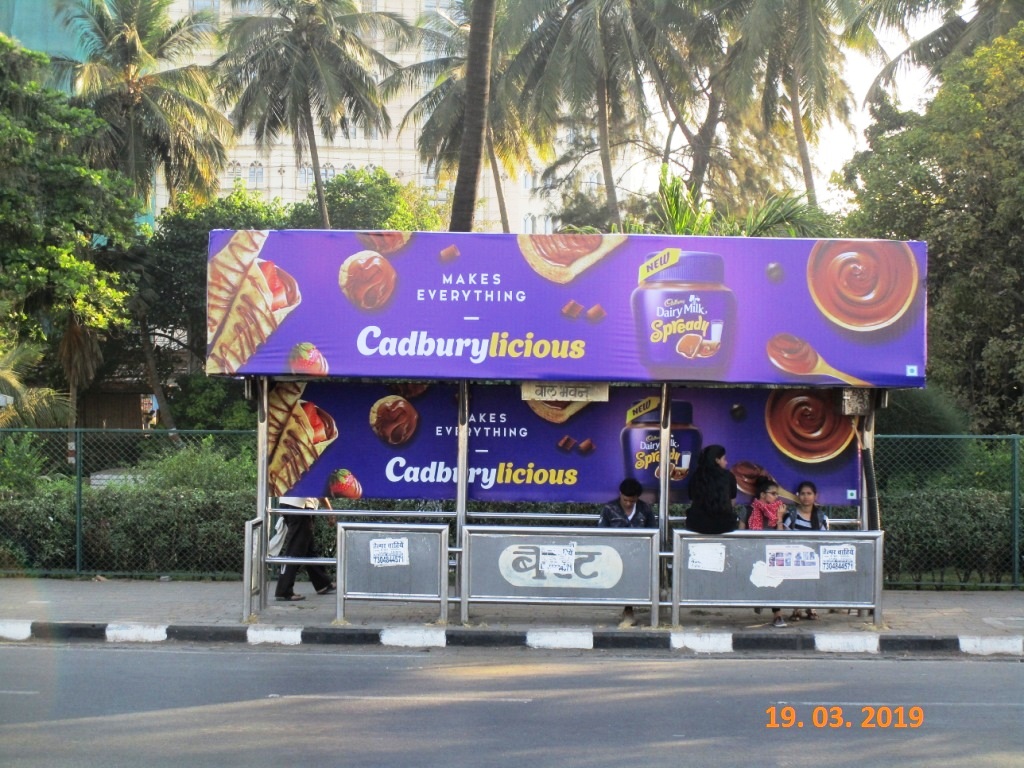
961,32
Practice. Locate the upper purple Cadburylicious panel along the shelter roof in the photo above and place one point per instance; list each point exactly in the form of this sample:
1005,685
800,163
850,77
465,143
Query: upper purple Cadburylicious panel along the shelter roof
613,308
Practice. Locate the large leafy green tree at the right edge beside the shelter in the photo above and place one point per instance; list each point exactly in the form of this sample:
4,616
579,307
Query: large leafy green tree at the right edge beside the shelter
954,179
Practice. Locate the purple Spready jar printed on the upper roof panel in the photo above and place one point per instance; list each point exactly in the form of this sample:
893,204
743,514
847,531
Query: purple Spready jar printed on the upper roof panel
685,314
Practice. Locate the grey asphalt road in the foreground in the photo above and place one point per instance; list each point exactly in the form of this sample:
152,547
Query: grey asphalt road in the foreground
110,706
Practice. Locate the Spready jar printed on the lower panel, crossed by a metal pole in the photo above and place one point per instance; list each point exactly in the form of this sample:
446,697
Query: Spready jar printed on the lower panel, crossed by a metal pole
642,439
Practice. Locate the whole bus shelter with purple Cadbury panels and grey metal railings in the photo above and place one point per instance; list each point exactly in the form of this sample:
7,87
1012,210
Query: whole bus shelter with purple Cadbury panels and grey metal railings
472,368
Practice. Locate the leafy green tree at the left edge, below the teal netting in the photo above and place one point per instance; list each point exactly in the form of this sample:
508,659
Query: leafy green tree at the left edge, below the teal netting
53,205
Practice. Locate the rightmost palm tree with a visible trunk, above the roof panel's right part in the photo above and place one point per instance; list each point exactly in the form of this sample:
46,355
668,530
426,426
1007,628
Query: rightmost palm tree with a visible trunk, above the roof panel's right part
796,50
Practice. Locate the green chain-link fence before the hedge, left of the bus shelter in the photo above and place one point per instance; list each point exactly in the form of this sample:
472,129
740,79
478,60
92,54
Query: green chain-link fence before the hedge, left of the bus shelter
125,502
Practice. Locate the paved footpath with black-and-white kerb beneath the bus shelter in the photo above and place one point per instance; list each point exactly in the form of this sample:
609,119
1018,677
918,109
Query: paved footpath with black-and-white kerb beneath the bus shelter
115,611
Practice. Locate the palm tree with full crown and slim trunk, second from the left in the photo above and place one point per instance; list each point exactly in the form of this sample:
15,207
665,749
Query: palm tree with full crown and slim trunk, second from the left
304,65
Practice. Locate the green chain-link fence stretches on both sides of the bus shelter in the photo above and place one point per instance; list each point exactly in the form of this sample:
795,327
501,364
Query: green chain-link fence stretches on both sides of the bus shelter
152,503
